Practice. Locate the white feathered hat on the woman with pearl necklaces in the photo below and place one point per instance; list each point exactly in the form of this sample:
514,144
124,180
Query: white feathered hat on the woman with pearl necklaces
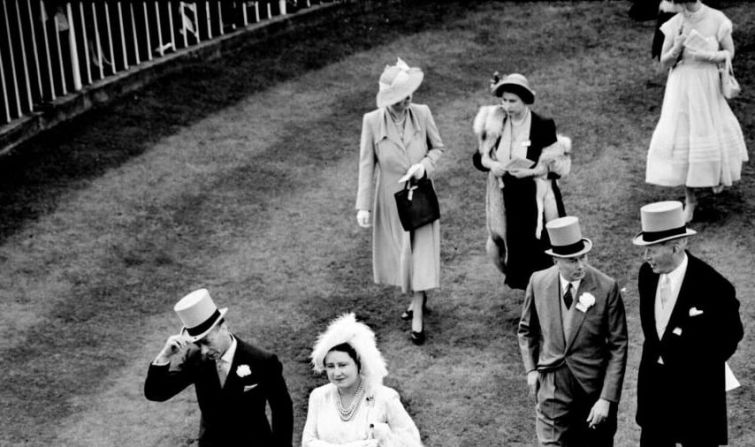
346,329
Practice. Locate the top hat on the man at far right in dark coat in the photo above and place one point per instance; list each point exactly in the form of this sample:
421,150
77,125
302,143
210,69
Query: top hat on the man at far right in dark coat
662,221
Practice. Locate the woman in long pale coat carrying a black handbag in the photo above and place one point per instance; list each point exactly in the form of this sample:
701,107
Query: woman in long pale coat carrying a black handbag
399,139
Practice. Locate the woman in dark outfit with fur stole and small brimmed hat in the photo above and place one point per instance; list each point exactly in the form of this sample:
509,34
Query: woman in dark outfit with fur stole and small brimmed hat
523,157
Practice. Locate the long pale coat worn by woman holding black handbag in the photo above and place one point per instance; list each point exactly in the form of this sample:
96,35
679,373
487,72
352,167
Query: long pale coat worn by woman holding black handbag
410,260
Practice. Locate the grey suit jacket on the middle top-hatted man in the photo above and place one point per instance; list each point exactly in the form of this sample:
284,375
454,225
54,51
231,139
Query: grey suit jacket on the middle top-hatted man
596,351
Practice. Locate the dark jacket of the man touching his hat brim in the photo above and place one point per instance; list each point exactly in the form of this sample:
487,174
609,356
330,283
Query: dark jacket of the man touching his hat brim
231,416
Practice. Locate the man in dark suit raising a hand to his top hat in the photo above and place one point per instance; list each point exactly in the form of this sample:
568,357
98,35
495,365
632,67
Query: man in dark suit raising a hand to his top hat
233,379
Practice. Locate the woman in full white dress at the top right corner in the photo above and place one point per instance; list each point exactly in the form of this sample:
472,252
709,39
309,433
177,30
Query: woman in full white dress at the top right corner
698,141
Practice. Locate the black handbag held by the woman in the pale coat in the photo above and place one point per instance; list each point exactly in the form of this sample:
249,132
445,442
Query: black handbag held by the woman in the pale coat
417,204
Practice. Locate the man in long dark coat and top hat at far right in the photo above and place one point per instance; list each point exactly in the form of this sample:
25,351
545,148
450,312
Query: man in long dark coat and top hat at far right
691,324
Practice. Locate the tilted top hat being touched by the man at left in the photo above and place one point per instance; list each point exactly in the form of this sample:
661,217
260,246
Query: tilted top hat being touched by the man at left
198,314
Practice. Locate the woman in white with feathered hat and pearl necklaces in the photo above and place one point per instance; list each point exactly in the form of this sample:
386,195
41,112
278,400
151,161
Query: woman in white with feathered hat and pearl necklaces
355,408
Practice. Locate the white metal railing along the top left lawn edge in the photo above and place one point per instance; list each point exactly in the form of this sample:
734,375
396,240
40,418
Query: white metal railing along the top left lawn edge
53,48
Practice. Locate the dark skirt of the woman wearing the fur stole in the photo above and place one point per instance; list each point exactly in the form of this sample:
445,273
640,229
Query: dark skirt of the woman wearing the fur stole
526,253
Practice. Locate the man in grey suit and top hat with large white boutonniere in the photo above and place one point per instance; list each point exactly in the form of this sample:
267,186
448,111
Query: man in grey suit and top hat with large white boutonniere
573,338
